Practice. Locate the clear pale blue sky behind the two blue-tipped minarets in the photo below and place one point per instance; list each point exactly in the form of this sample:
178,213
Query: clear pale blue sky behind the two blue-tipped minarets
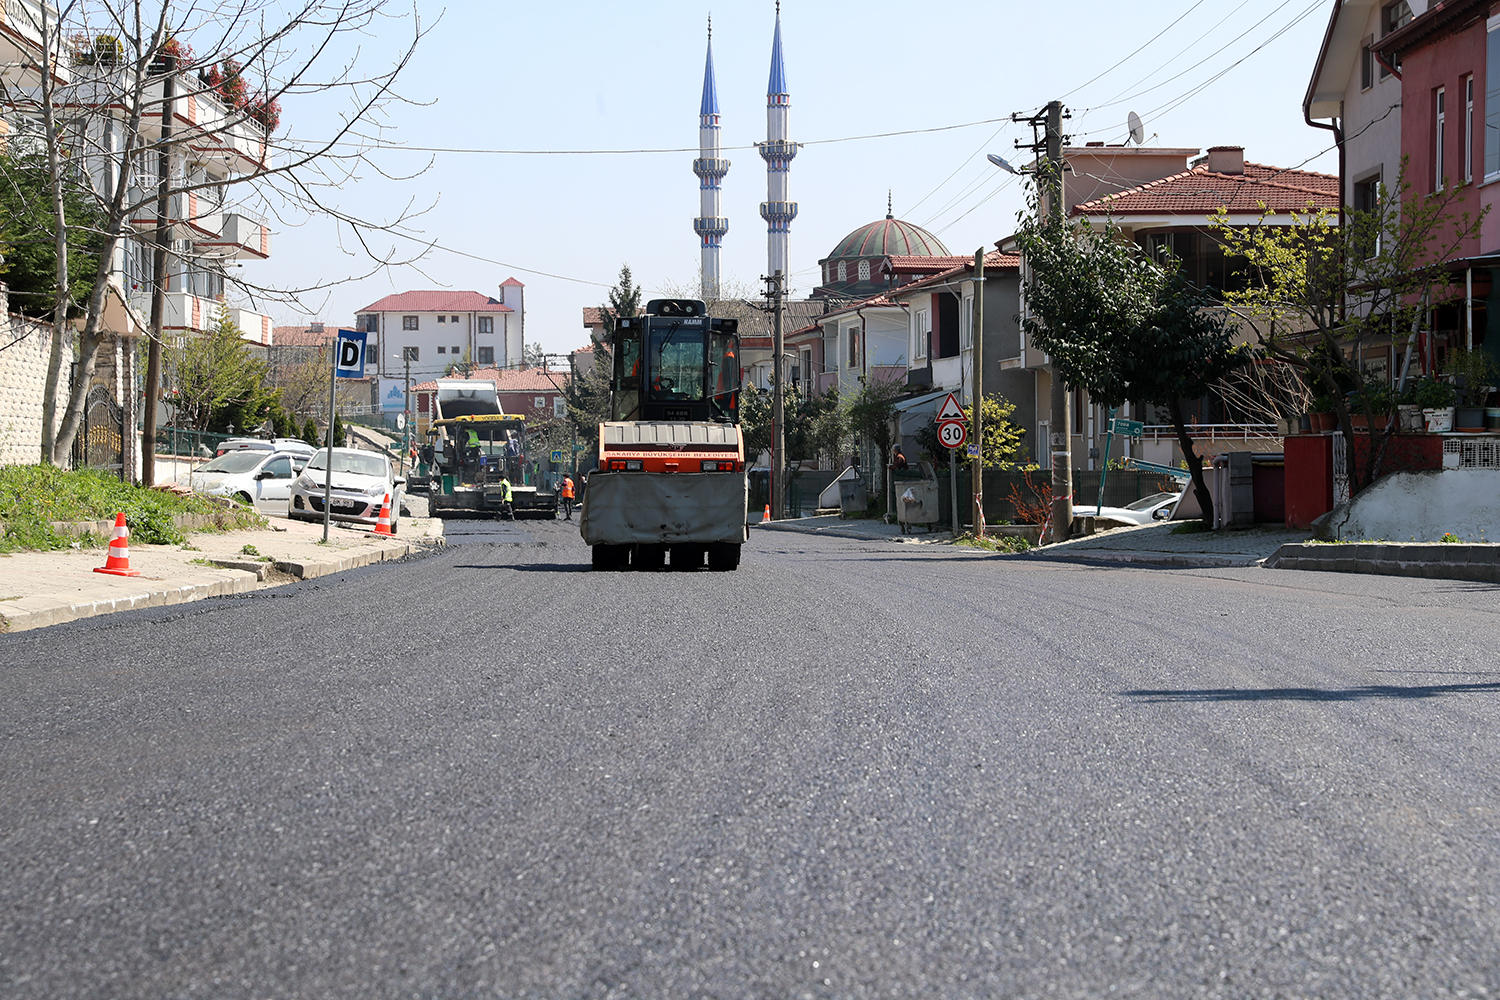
494,83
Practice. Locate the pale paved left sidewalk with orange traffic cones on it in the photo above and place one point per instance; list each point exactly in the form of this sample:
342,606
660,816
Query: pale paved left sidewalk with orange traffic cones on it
47,588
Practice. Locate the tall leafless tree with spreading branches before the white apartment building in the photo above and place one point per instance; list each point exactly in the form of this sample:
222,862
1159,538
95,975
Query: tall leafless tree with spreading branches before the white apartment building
128,112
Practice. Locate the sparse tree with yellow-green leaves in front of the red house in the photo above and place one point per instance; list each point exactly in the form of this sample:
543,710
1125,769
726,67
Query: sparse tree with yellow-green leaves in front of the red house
1322,296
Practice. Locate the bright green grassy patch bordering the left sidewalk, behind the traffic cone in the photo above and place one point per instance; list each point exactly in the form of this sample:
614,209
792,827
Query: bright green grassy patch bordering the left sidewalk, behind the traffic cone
32,497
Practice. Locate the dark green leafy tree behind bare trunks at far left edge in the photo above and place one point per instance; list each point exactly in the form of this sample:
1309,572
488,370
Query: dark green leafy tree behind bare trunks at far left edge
31,253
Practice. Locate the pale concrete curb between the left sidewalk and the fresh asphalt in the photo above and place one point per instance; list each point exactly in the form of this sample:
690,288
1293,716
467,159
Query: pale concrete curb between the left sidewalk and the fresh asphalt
230,576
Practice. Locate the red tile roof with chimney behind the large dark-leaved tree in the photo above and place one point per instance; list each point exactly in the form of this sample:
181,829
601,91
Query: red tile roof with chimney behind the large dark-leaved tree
1201,193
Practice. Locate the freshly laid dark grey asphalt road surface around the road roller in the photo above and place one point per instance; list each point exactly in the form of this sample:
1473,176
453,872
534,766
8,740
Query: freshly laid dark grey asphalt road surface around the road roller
848,770
